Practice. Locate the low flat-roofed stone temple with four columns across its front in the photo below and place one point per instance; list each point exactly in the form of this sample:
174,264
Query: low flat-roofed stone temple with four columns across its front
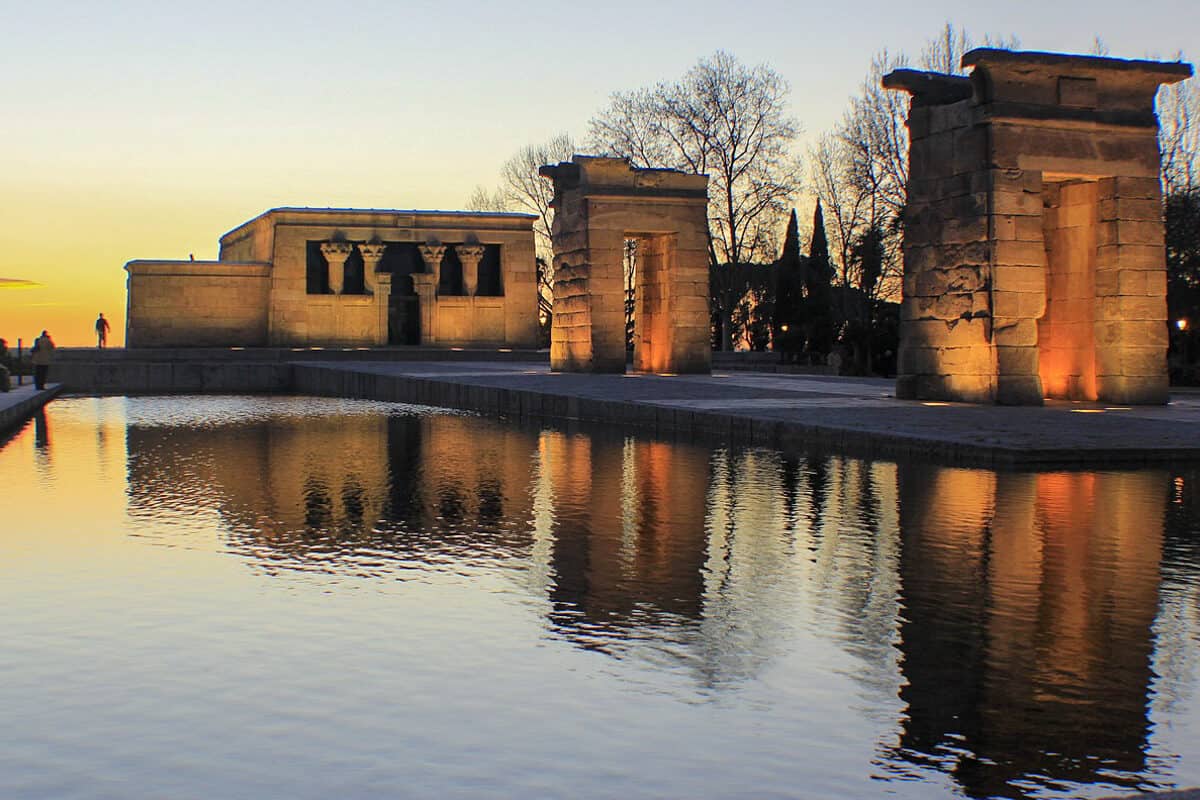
305,278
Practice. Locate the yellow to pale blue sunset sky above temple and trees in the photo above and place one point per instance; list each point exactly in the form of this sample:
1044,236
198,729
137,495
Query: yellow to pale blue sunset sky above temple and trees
143,130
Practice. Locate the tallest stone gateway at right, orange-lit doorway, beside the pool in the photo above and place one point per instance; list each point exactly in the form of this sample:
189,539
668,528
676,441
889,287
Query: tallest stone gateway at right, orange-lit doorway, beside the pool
1035,263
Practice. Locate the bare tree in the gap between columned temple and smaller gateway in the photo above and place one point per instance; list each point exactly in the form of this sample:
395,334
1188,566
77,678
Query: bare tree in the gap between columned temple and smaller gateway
523,189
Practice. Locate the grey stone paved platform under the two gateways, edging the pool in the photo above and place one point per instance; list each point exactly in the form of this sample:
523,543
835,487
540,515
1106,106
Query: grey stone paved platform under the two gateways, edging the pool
850,414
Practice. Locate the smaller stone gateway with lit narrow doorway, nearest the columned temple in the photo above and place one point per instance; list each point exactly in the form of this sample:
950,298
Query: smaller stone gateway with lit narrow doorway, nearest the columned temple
599,203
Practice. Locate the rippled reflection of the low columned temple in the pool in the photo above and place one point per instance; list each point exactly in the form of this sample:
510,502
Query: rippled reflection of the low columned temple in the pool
361,494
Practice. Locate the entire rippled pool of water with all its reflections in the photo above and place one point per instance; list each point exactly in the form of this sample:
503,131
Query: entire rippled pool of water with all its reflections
301,598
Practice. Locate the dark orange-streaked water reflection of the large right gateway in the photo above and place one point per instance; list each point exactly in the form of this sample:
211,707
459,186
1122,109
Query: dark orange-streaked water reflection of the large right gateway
1027,636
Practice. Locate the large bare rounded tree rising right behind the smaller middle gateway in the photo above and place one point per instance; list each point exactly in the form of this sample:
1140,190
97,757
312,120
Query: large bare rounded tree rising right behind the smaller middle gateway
727,121
